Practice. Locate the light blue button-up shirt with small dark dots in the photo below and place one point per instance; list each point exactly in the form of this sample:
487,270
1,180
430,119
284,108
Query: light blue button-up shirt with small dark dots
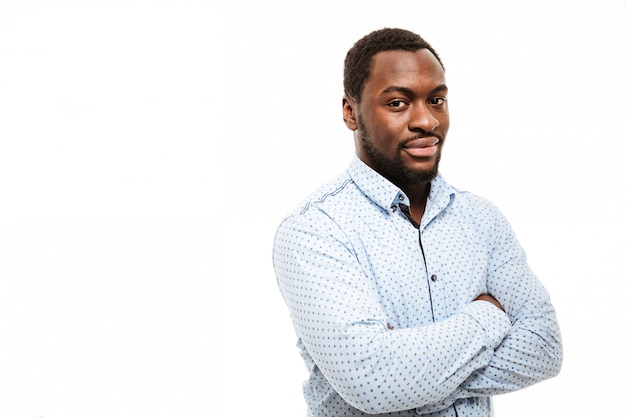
383,309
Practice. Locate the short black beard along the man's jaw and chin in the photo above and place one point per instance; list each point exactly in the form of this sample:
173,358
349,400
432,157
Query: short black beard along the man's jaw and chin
393,168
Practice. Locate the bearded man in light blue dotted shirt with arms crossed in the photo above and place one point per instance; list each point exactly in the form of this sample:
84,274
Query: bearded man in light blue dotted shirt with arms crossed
408,296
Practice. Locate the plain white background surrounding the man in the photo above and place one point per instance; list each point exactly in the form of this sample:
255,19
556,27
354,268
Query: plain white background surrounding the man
148,150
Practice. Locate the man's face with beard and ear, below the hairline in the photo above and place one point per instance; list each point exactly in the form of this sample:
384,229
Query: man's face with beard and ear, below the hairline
402,119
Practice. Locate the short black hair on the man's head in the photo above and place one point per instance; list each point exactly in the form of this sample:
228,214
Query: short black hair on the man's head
359,58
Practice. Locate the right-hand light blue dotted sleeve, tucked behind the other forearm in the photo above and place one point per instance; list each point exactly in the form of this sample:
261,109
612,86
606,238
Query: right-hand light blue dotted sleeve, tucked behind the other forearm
532,351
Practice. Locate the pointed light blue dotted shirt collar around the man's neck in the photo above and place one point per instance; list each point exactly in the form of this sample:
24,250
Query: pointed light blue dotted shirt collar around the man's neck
386,195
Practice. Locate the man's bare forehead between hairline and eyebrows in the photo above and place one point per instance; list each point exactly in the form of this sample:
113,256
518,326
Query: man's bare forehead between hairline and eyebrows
416,70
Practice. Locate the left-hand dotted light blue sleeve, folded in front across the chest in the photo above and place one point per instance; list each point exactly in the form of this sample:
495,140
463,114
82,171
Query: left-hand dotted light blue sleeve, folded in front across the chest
337,315
